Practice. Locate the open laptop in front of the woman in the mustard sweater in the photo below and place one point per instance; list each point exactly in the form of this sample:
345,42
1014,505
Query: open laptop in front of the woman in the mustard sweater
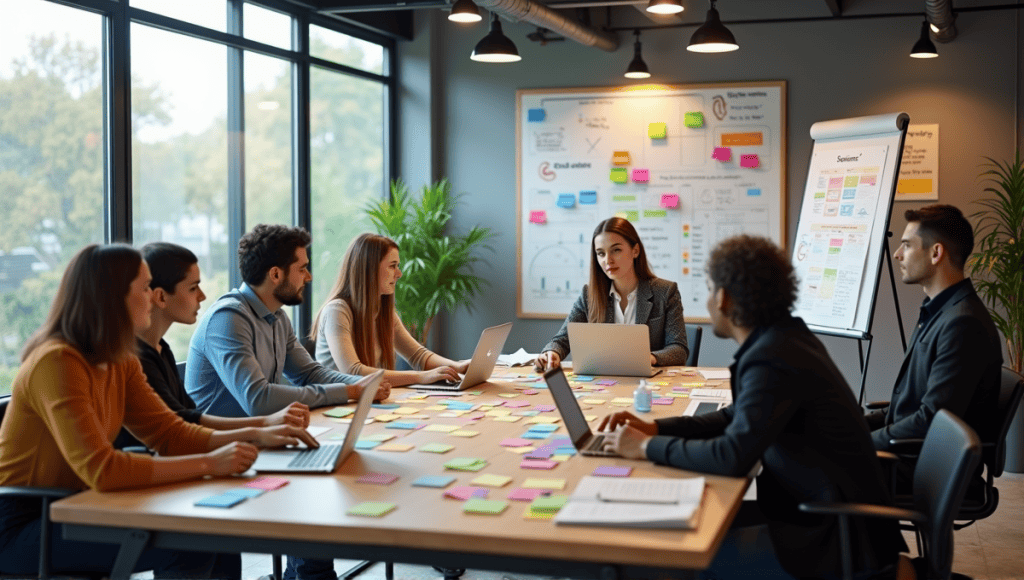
328,457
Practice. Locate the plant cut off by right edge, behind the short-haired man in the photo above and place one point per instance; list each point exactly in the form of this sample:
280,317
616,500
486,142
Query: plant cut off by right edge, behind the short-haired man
998,267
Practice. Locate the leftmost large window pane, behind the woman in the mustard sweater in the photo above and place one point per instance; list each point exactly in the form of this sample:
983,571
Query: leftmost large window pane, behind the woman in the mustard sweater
52,160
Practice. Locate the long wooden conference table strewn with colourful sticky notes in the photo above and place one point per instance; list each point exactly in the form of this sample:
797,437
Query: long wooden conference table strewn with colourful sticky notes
308,517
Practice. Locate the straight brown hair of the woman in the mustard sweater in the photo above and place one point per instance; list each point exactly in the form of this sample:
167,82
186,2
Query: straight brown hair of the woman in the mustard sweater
91,309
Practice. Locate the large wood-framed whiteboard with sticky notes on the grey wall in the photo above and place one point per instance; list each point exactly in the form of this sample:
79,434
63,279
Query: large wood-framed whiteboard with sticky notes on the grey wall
689,165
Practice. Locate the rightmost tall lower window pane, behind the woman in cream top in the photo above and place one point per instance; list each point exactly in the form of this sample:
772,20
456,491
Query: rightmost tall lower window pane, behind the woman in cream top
348,156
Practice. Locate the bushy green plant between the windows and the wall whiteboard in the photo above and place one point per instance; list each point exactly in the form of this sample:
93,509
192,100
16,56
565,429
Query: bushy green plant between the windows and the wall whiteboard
437,271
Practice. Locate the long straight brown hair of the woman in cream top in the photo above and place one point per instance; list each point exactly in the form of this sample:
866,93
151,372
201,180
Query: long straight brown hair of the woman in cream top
359,285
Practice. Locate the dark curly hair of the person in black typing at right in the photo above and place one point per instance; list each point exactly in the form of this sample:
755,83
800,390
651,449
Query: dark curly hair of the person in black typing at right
759,278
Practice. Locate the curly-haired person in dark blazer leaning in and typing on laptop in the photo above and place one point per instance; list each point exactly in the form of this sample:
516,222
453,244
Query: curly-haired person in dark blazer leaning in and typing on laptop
794,412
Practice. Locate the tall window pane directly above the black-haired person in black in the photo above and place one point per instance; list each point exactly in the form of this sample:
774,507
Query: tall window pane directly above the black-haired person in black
180,154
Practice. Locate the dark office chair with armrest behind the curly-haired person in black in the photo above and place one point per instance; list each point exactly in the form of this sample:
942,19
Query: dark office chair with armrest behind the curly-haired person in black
949,458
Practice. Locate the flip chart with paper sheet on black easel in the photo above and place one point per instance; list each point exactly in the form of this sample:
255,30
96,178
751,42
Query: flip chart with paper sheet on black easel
844,221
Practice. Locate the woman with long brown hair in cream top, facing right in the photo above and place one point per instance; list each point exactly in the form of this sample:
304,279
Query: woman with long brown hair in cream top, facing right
358,330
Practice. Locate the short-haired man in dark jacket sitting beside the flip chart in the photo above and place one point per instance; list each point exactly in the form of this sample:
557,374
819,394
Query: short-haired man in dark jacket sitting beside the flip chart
955,356
